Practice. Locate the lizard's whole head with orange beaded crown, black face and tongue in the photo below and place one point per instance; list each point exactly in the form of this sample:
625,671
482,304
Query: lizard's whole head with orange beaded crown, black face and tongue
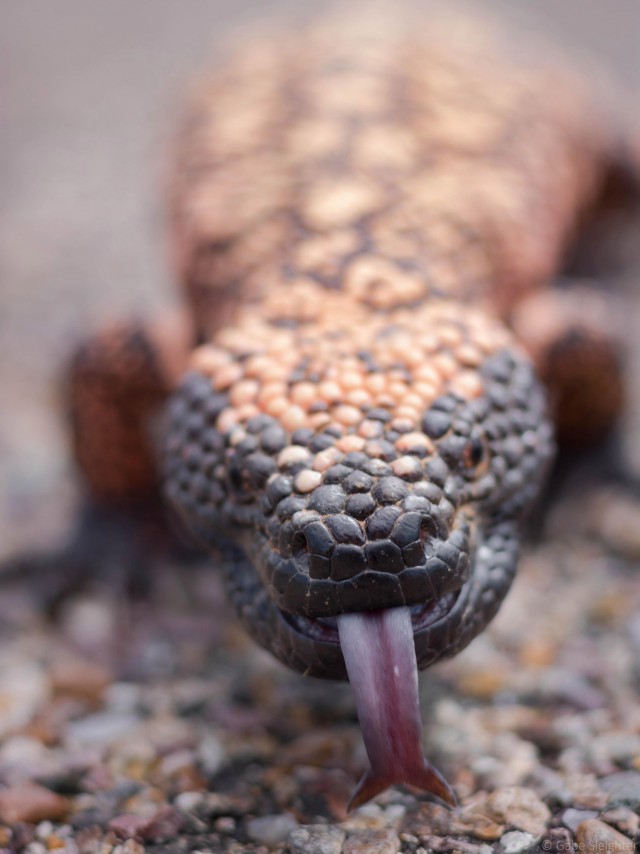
356,478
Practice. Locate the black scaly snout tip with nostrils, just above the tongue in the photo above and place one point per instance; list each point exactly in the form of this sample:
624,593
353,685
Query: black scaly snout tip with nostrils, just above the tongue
396,556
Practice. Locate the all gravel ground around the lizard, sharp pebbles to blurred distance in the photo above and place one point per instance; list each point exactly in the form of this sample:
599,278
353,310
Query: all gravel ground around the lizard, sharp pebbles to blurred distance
157,726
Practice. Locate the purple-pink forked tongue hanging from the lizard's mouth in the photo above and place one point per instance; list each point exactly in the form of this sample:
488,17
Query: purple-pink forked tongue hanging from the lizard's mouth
380,656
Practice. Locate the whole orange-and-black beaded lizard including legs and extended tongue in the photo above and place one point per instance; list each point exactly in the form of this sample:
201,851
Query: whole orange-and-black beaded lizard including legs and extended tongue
368,227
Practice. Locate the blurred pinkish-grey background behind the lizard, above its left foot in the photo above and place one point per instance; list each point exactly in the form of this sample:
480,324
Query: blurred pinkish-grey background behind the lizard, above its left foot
89,98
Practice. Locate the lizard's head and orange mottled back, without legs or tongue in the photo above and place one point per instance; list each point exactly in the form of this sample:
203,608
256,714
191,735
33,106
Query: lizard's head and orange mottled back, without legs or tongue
355,219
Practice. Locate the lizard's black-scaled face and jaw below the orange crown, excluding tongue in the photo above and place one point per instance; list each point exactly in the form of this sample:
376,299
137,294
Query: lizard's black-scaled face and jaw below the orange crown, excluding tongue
431,521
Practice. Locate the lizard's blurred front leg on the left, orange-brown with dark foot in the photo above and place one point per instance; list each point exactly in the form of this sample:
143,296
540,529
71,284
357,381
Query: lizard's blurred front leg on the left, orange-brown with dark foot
118,381
